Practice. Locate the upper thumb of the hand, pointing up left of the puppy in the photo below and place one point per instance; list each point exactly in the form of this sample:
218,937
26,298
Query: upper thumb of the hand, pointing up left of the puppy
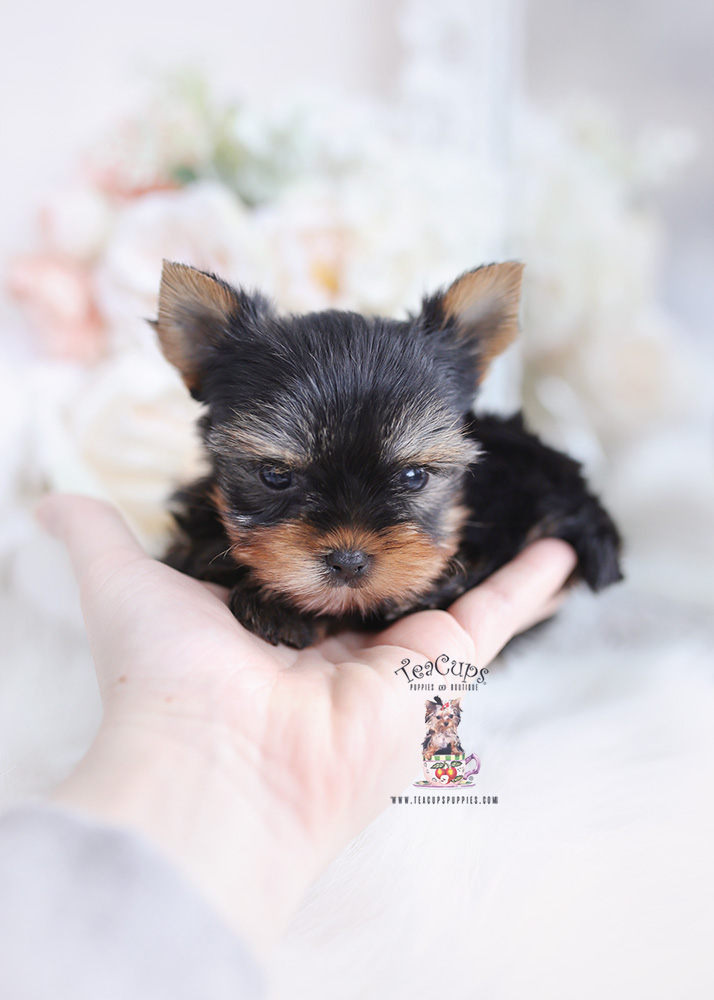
92,530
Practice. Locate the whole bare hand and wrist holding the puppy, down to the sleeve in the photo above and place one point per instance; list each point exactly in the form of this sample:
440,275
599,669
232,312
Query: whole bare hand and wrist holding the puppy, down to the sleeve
250,765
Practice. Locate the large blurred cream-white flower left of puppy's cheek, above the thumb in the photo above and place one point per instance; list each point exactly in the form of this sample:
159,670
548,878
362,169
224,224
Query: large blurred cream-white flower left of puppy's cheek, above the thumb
122,431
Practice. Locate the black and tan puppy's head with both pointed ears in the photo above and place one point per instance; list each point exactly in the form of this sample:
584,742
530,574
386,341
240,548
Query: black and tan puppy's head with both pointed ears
337,440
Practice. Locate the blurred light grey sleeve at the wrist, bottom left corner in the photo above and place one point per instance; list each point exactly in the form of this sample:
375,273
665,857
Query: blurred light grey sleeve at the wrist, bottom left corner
89,911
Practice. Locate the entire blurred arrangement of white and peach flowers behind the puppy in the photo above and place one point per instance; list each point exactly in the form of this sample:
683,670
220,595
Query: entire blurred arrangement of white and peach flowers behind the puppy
323,206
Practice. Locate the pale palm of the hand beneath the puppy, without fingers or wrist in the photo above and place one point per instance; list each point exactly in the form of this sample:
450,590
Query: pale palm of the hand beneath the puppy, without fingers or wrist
311,726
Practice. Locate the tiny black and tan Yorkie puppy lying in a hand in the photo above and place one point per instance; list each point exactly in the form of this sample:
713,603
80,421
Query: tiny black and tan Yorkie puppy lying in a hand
350,481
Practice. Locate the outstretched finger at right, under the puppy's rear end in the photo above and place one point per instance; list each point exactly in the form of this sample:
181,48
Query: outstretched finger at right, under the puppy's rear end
514,595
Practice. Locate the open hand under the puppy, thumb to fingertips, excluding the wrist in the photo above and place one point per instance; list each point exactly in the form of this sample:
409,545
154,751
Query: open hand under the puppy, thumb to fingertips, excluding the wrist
330,730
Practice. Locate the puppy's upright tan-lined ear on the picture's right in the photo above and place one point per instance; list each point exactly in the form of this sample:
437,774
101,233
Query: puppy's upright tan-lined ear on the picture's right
480,310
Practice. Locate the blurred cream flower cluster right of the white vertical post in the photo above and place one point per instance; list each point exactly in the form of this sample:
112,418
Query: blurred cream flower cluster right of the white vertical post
600,361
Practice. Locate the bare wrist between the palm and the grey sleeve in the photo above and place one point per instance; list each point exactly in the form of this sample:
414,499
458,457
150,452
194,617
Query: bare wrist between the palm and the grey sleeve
229,835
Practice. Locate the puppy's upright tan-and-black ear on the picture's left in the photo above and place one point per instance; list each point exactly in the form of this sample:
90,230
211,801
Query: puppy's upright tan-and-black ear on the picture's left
198,314
